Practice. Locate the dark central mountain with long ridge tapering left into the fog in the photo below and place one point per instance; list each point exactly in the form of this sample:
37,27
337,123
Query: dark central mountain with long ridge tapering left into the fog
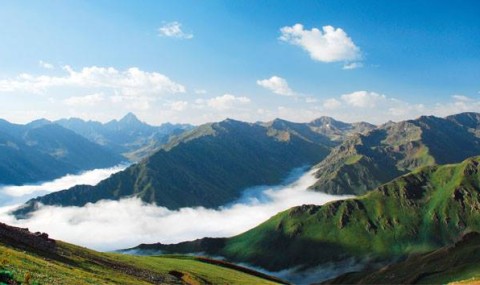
208,166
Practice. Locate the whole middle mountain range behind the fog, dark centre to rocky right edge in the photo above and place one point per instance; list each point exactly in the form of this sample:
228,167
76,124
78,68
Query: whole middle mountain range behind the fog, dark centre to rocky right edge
210,165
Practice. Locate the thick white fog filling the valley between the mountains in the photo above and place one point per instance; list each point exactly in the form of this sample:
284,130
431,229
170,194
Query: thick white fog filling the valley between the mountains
109,225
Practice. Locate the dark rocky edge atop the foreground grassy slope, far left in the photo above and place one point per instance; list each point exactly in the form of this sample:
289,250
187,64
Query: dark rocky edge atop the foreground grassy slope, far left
23,237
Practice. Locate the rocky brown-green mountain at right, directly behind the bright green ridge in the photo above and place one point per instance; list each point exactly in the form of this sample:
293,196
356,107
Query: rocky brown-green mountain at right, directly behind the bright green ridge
365,161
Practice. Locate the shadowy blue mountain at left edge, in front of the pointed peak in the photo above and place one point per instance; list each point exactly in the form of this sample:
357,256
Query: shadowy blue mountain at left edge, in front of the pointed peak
42,151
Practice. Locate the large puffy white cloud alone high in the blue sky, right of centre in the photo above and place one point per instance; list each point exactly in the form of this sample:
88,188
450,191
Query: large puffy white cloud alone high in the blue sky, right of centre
327,45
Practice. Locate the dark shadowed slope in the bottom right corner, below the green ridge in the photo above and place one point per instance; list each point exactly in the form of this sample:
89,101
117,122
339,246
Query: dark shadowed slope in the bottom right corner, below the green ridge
454,263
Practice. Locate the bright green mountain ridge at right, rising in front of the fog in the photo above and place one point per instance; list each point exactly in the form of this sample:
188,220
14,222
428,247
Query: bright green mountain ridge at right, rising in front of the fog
416,213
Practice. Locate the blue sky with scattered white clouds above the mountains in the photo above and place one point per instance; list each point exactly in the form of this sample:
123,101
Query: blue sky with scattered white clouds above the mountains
200,61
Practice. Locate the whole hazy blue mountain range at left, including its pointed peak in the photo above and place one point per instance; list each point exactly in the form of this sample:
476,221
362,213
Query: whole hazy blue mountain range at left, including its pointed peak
43,150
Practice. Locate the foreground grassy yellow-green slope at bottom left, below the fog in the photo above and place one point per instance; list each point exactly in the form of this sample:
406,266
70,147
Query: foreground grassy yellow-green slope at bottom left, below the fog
27,258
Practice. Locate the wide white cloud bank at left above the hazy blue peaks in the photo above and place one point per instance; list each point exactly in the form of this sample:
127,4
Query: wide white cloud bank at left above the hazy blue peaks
132,89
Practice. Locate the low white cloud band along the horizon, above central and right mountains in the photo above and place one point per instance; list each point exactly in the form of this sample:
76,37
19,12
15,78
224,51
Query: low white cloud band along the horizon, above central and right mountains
370,106
